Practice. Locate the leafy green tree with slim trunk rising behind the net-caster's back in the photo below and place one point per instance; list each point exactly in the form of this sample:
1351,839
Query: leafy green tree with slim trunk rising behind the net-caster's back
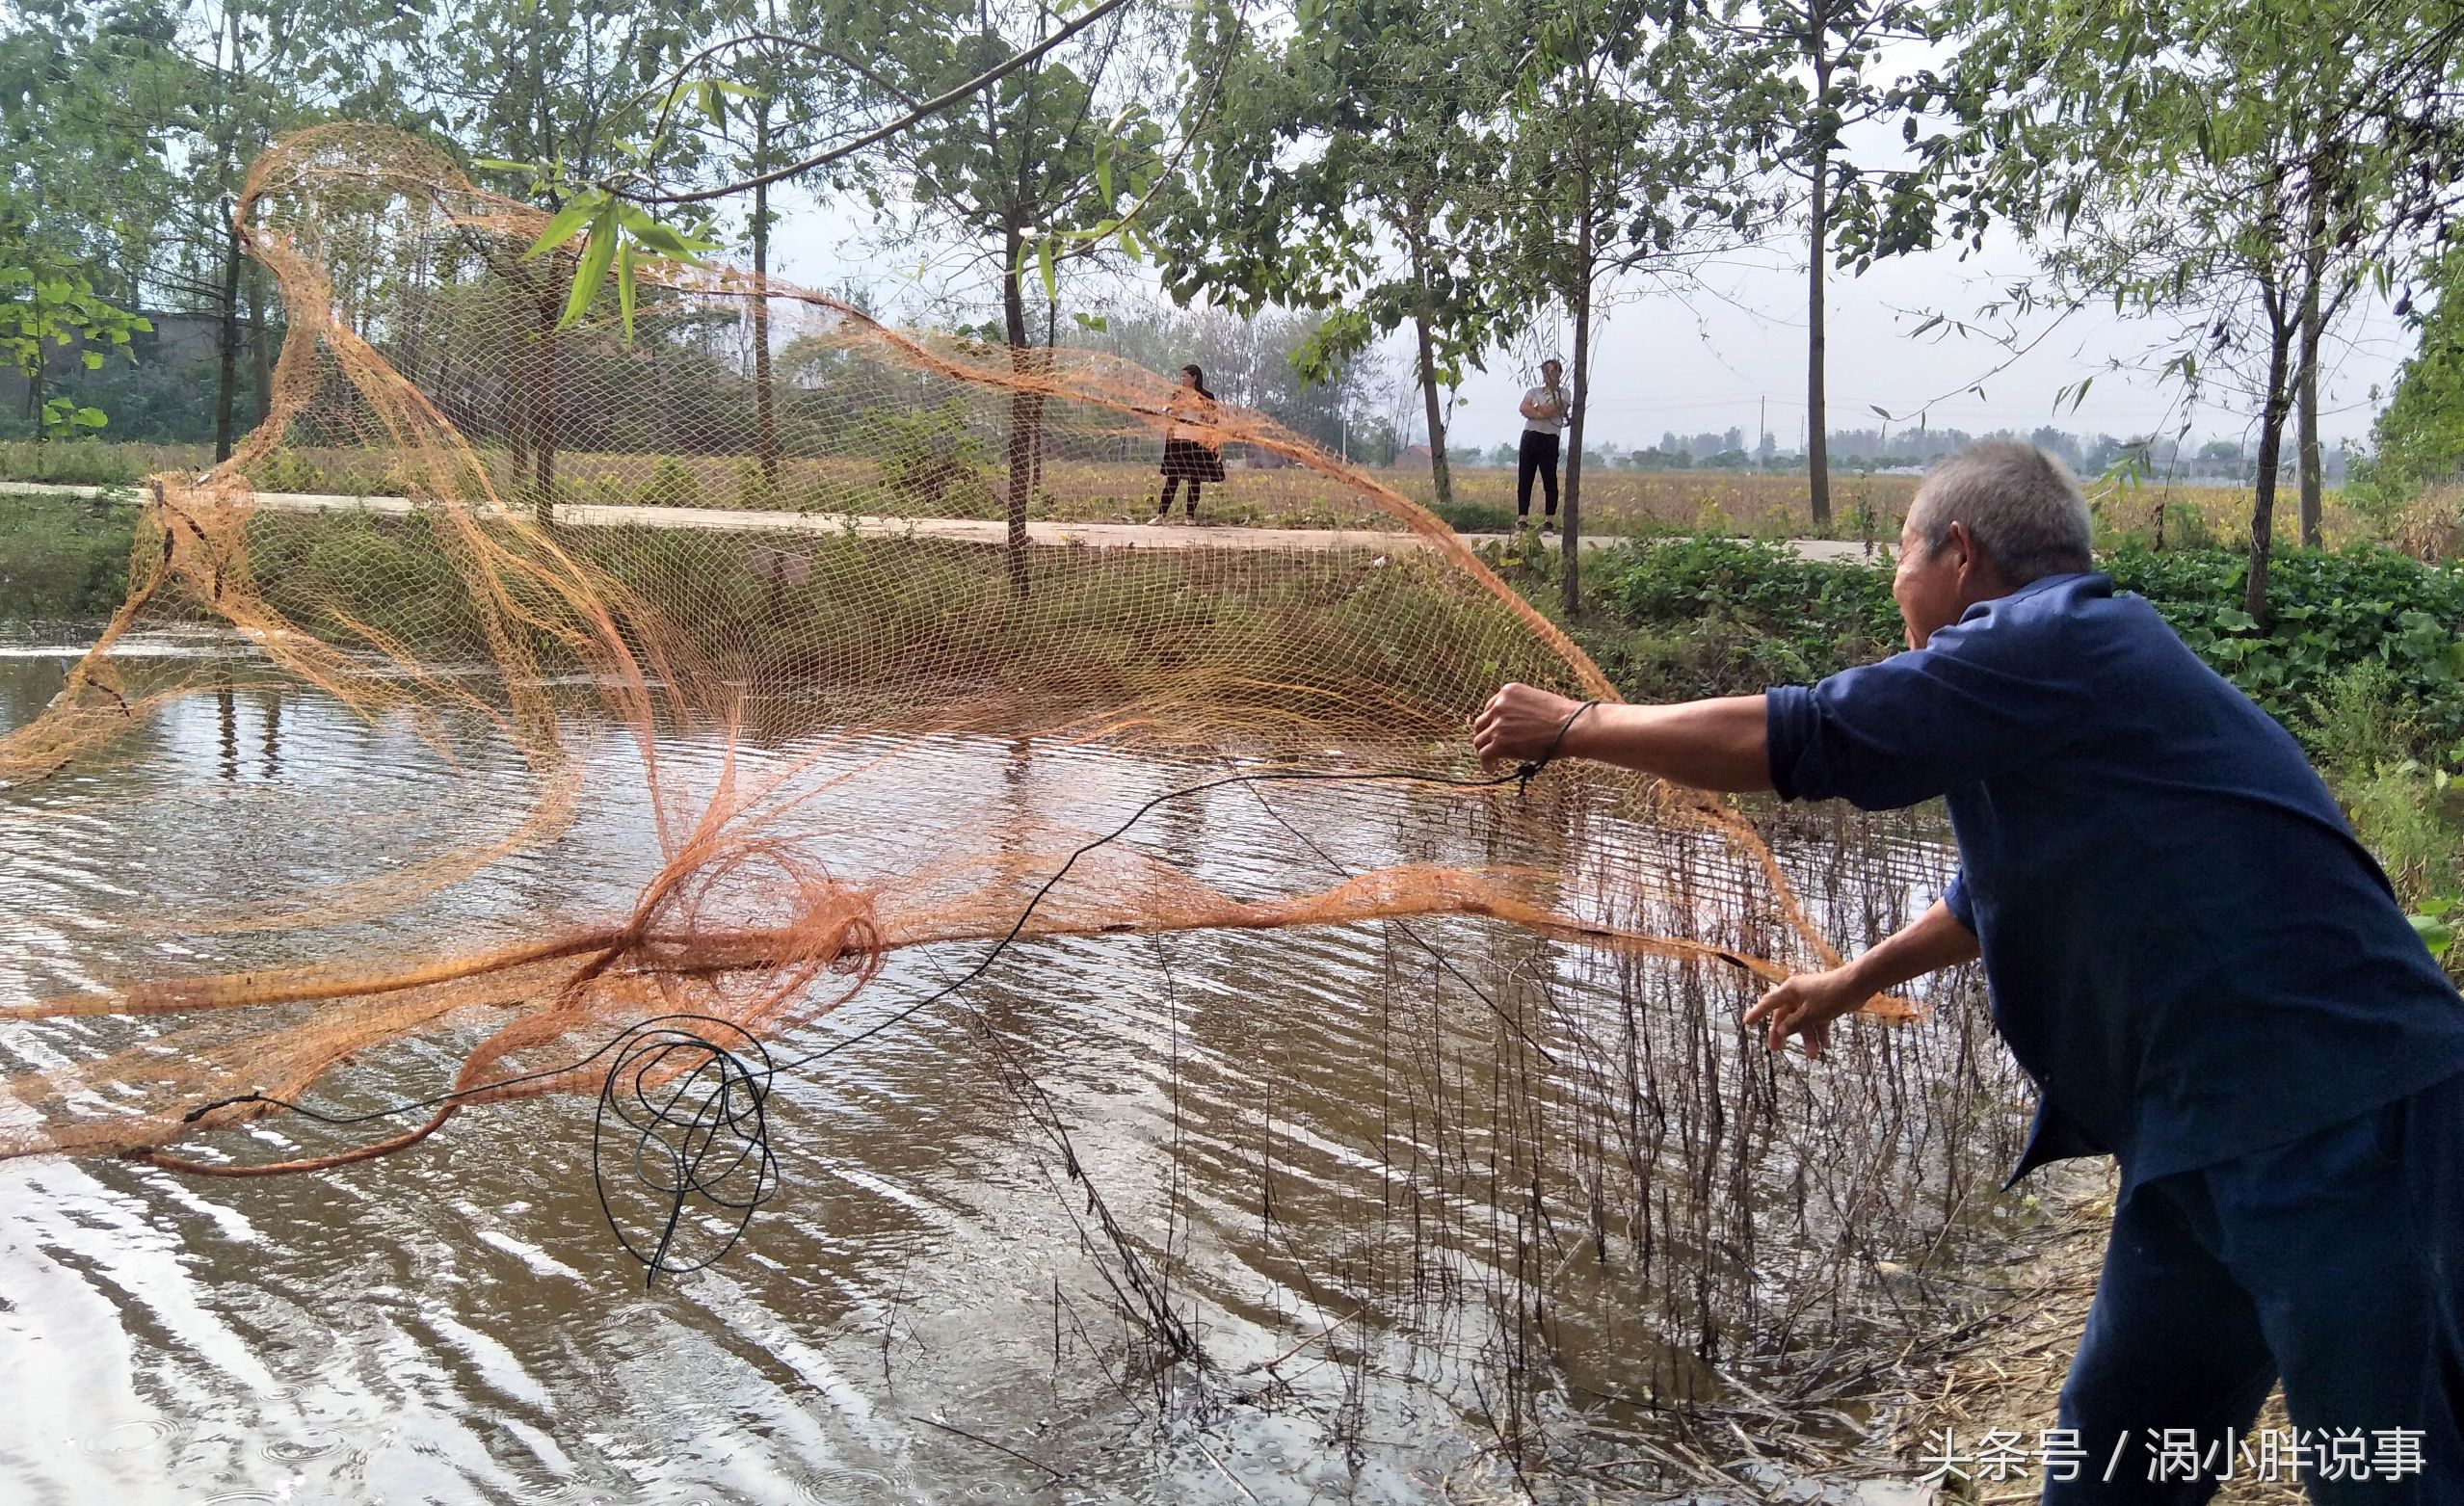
2187,161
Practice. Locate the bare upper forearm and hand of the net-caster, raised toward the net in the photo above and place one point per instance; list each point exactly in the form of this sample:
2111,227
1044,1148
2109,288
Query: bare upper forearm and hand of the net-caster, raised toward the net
1701,743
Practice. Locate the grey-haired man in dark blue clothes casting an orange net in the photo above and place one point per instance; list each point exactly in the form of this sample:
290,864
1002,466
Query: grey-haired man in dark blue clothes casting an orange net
2187,950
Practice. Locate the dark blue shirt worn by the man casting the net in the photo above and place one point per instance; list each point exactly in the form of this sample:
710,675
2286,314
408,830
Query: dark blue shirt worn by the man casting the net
2184,943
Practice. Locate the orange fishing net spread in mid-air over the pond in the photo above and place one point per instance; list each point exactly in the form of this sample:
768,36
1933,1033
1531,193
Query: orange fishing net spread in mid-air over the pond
765,524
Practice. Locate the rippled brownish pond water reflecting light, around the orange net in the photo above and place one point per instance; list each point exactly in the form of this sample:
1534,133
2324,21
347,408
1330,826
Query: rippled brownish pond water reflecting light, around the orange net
1435,1202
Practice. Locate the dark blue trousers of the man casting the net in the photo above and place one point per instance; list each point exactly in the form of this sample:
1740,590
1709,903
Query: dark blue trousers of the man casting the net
2335,1261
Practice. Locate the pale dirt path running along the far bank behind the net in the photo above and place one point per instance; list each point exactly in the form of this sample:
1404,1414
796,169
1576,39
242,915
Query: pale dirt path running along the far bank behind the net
977,531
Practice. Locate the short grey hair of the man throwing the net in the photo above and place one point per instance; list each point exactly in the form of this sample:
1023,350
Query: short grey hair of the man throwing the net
2019,504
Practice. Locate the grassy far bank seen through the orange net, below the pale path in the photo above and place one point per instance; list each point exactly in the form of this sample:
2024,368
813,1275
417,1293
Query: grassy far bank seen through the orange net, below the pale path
1238,640
